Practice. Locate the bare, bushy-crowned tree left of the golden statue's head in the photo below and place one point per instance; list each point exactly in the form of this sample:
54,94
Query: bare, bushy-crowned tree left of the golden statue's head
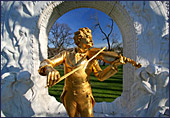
60,37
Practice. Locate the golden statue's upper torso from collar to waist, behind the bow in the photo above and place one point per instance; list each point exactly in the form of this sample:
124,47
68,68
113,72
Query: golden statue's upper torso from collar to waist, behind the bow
74,60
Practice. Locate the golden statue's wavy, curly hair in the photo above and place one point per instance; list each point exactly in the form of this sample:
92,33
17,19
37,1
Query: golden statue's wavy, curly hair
81,34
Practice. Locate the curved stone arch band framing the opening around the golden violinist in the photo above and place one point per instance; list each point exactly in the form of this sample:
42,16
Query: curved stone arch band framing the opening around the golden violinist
113,9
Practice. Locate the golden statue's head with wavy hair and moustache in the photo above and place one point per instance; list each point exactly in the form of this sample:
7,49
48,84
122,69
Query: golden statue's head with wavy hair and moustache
83,38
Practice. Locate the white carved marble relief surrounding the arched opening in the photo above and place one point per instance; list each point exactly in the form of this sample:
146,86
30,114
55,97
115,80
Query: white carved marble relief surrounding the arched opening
21,51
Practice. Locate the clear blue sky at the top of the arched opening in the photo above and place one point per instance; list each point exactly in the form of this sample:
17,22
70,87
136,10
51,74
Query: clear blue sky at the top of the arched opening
80,17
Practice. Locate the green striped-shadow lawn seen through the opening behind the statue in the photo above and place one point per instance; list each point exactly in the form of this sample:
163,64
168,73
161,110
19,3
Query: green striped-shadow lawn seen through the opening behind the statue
107,90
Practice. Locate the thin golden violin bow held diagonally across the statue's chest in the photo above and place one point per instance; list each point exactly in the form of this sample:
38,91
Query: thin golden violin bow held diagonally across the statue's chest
78,68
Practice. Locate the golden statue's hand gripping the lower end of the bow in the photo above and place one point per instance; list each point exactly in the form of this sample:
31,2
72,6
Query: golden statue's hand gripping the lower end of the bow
52,76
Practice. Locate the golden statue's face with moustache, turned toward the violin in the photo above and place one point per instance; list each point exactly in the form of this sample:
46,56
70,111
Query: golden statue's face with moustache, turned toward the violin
86,42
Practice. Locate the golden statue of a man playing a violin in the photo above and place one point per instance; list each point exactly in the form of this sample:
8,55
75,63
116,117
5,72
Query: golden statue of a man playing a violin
77,94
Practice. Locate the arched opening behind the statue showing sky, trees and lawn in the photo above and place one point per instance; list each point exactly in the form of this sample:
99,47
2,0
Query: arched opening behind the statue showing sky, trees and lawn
70,22
